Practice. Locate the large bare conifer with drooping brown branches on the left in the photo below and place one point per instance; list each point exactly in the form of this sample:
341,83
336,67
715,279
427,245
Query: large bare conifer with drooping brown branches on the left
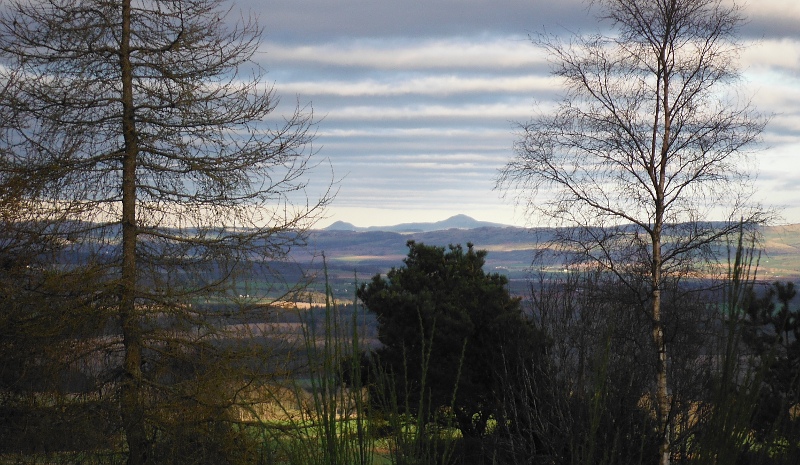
145,132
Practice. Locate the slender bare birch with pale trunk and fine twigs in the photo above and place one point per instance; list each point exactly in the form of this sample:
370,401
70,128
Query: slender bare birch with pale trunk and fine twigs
648,146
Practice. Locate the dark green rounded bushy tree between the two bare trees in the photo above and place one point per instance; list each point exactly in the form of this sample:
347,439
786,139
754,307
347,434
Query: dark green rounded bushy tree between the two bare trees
442,298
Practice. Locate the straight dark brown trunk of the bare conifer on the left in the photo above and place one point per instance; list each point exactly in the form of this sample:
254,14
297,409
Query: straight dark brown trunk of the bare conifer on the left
132,410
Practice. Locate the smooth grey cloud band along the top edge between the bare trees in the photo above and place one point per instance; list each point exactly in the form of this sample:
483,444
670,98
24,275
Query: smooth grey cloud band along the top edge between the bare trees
303,20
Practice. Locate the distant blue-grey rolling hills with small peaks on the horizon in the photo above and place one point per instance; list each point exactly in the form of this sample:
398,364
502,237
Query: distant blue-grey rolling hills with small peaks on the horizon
363,252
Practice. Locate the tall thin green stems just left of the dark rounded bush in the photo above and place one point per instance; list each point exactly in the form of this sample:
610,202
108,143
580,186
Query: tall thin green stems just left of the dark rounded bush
324,419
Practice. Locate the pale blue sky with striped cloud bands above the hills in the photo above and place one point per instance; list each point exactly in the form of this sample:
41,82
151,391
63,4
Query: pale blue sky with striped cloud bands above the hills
417,101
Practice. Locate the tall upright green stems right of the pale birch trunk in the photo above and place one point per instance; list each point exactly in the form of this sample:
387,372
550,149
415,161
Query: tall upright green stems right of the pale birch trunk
726,433
